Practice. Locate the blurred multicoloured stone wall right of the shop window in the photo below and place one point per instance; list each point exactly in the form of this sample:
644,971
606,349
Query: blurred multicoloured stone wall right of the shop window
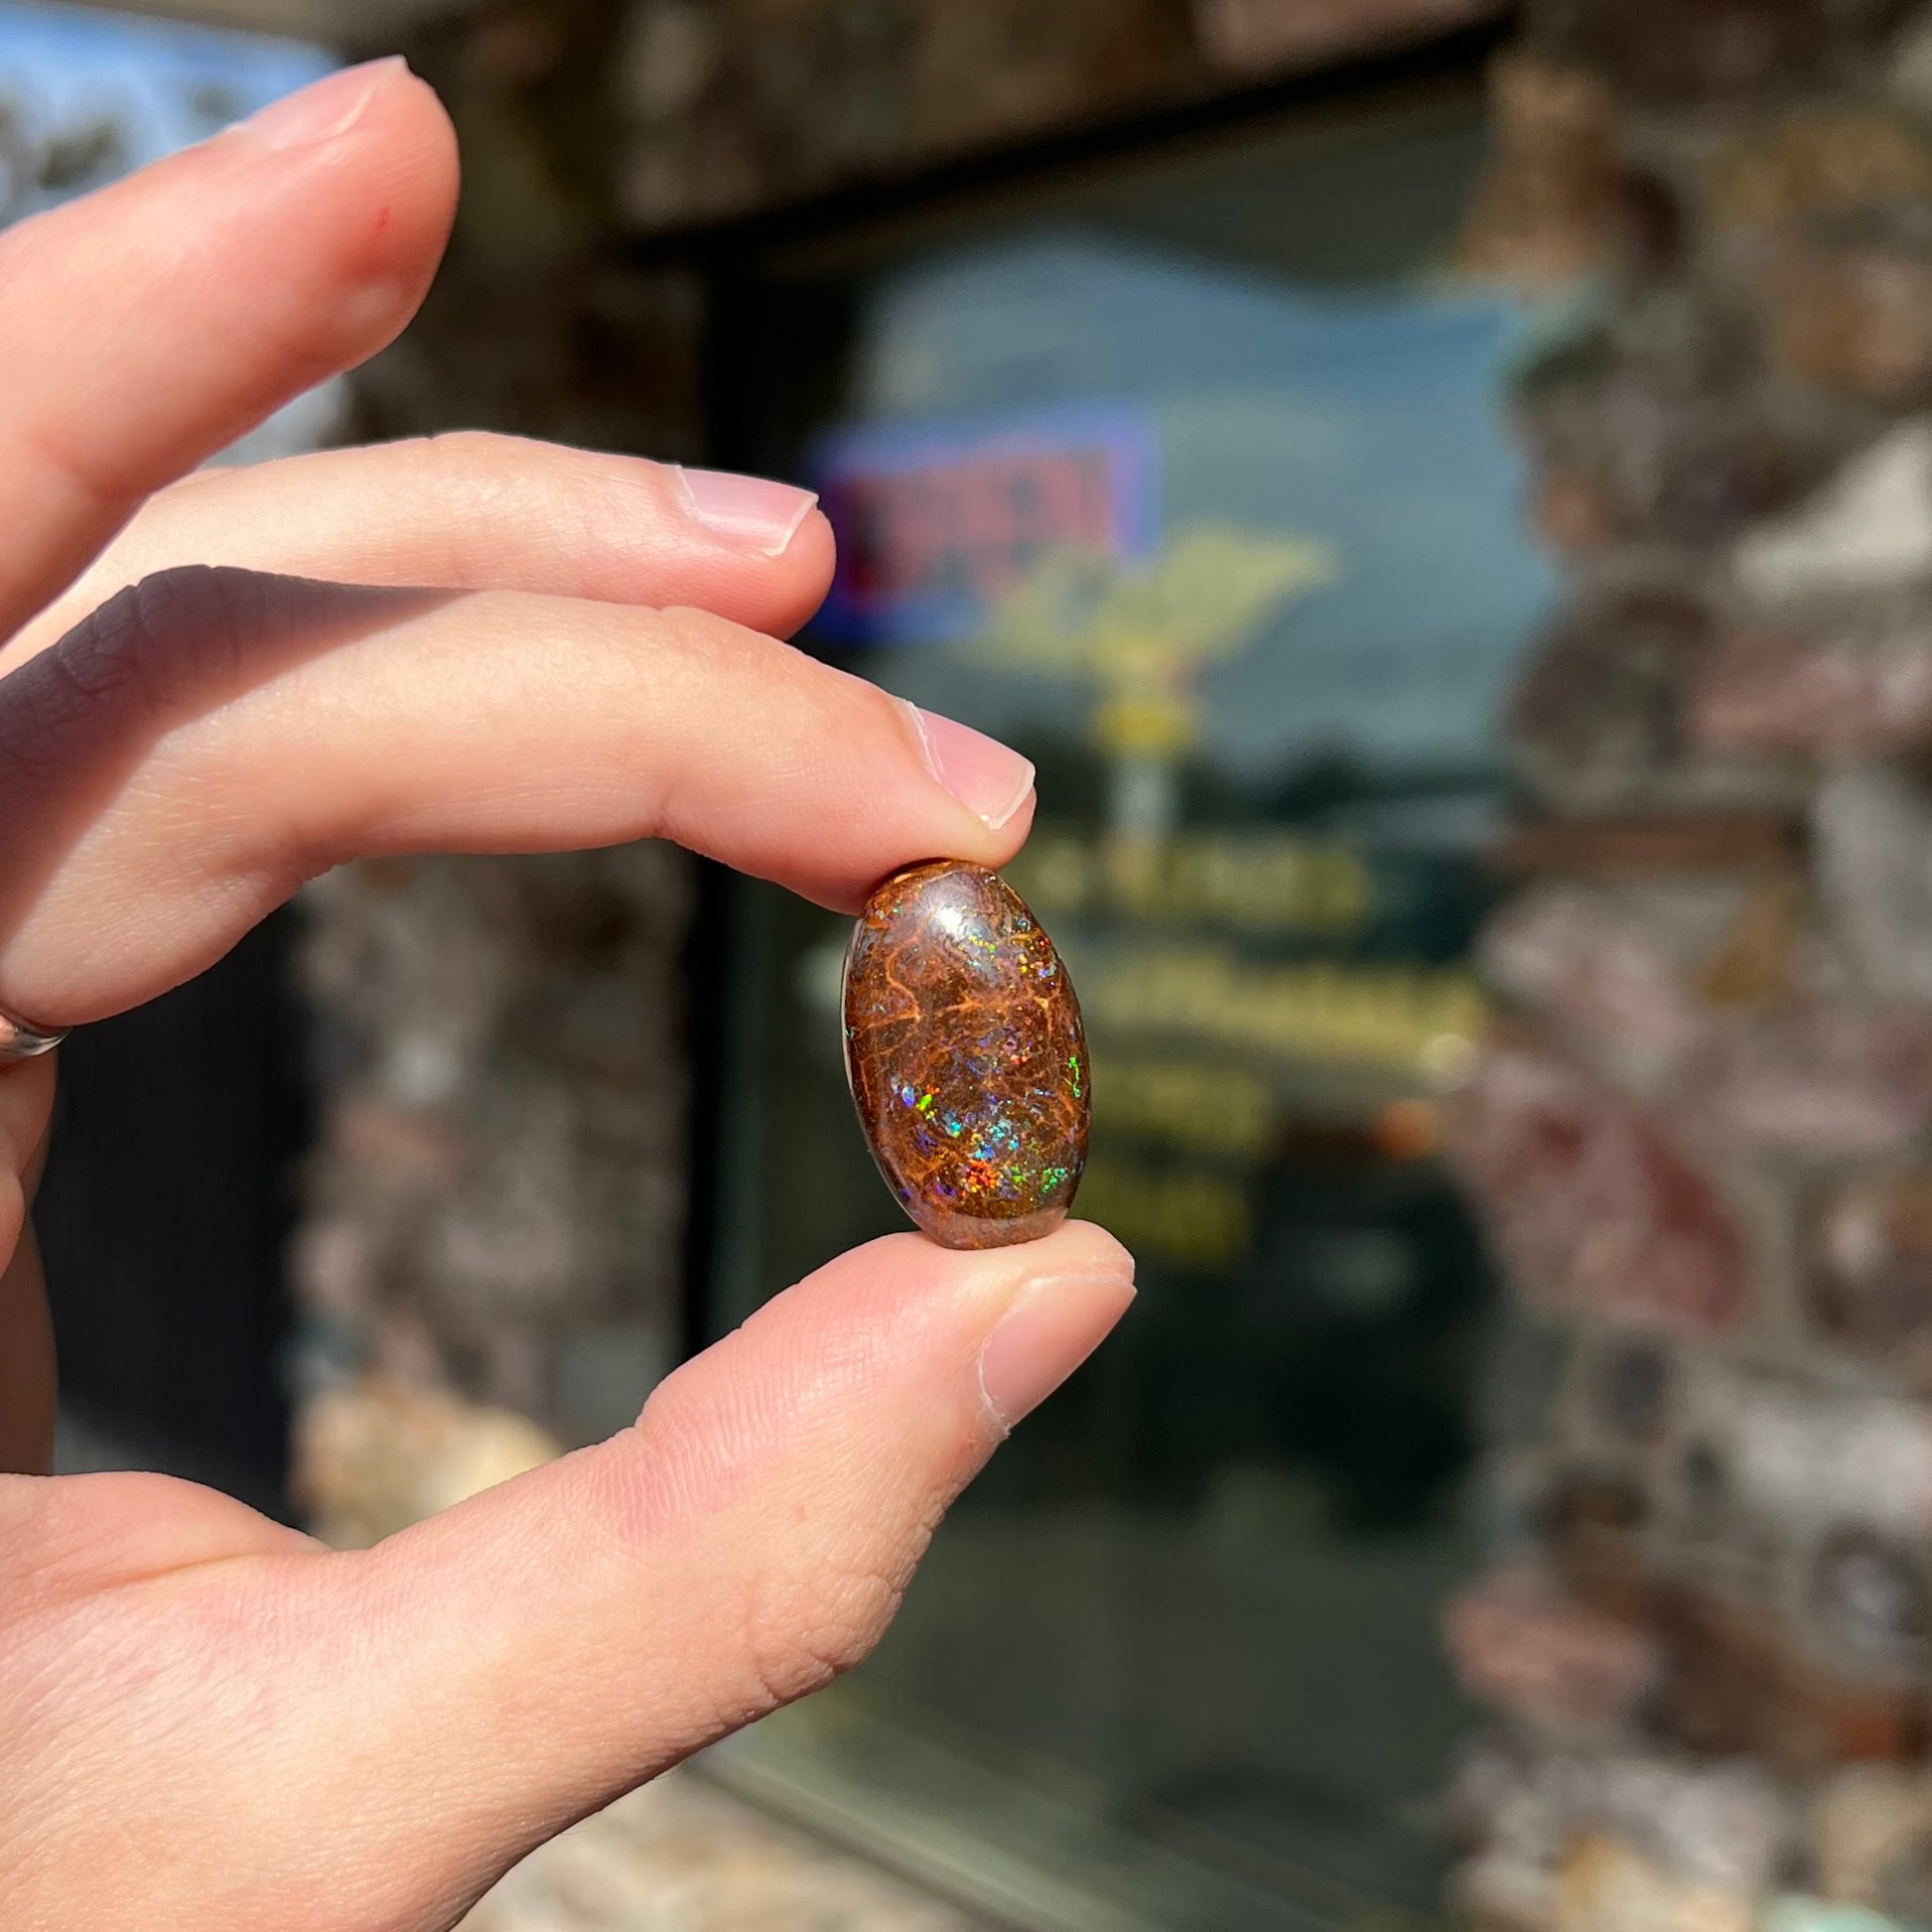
1701,1133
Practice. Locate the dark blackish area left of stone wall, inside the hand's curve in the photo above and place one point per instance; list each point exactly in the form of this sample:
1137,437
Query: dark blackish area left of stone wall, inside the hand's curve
165,1222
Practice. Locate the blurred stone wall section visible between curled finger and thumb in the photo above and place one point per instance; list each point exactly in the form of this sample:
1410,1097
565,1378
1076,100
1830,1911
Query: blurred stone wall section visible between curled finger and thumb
492,1253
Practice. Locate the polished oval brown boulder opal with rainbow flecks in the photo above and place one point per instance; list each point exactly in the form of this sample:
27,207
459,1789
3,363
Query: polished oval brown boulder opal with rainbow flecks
967,1056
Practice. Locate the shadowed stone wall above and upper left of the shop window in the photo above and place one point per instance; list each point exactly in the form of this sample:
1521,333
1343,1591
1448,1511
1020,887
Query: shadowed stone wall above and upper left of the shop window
594,125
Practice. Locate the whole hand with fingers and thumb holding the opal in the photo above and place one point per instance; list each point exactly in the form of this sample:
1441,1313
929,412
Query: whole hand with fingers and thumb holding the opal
208,1720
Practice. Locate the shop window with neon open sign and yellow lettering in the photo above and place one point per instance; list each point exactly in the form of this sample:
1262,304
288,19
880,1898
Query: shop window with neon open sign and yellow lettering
1191,480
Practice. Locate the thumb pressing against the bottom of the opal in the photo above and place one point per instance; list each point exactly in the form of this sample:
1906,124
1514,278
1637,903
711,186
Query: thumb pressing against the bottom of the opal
561,1639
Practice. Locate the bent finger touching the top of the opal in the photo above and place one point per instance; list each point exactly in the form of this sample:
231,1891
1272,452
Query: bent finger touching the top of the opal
212,739
